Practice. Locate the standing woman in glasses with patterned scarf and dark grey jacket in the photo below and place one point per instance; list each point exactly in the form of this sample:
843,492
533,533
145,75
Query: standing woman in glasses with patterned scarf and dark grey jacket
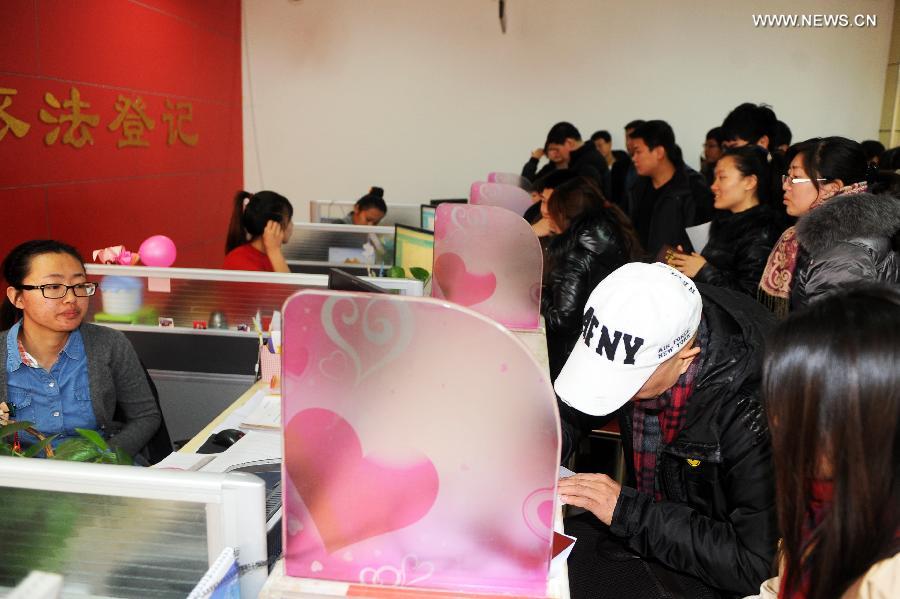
842,236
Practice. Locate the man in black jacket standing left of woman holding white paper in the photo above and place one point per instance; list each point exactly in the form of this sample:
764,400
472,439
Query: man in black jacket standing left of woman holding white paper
668,196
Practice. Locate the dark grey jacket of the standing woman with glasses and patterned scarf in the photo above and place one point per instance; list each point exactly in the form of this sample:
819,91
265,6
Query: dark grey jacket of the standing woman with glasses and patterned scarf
845,240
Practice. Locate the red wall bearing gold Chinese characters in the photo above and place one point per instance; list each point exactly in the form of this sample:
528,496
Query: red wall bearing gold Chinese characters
177,51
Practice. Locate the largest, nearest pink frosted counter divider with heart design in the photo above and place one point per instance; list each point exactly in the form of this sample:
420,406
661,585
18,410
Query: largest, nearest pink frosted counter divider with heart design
402,417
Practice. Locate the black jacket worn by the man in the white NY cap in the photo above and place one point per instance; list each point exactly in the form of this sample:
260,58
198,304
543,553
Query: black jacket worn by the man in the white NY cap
717,519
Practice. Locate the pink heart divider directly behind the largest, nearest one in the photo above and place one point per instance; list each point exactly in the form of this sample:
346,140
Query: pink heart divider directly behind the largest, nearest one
488,259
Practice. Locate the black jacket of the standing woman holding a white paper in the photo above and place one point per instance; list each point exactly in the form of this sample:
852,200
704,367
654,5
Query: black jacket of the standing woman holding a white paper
738,248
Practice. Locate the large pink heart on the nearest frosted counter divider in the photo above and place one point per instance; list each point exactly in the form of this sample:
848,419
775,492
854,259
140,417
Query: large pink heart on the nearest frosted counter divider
352,497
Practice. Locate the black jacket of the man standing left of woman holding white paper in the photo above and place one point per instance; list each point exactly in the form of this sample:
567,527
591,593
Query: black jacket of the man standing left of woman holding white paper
686,201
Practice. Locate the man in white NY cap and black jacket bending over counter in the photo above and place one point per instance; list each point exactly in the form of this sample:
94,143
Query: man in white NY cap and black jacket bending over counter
680,367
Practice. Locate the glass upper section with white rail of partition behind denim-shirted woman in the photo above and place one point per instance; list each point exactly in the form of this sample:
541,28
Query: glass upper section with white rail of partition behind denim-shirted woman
221,299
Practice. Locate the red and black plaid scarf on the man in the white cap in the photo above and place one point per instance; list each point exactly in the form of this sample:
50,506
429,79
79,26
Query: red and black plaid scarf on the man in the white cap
656,422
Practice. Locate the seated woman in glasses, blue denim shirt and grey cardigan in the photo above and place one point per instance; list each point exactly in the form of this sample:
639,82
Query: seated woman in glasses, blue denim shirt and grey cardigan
59,372
